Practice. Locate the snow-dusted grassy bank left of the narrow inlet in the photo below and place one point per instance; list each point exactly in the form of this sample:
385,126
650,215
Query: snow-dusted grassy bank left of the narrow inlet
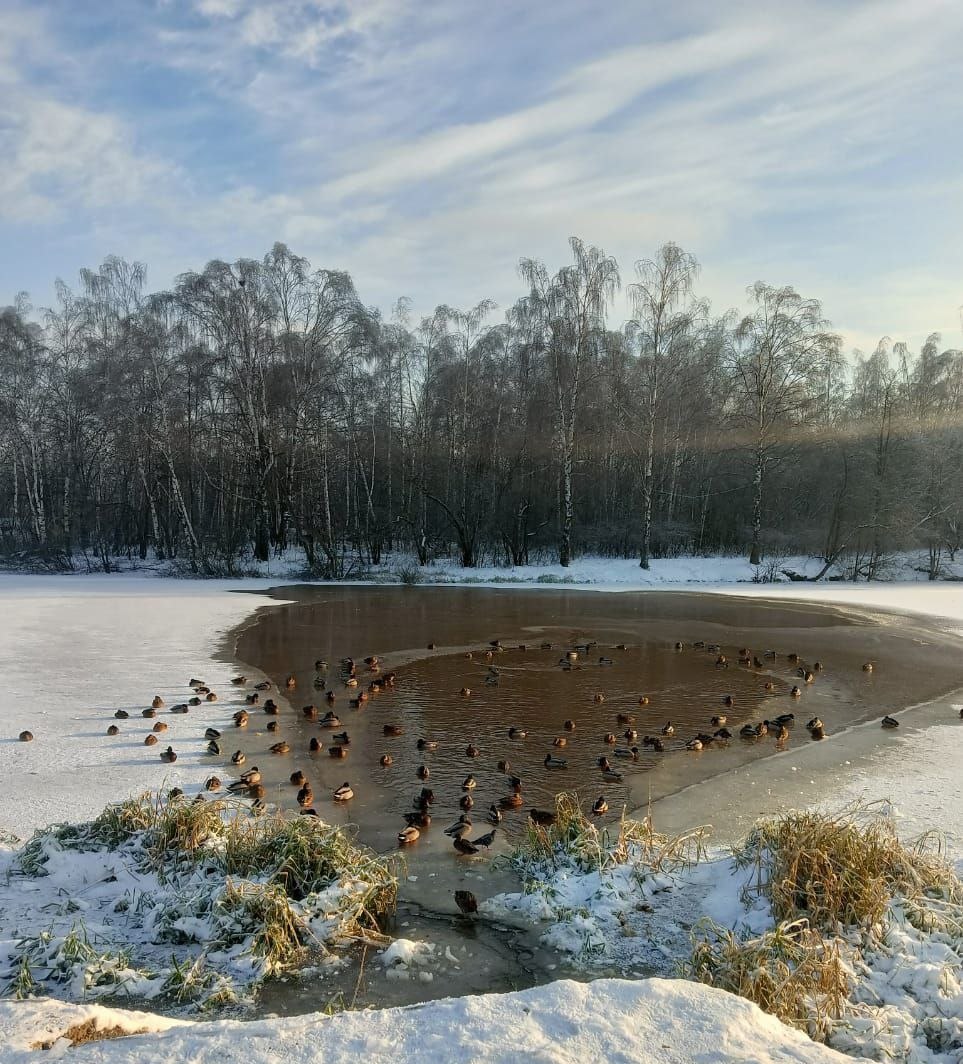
196,903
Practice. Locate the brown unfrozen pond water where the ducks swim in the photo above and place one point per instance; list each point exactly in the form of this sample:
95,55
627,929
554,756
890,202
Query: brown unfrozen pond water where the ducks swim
536,694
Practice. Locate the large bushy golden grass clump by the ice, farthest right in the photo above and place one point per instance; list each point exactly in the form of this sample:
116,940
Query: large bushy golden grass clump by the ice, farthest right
843,870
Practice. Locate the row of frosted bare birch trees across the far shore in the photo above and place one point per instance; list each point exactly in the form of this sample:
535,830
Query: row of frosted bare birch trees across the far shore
261,407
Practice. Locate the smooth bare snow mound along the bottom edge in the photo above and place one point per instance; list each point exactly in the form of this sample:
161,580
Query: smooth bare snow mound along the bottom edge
656,1021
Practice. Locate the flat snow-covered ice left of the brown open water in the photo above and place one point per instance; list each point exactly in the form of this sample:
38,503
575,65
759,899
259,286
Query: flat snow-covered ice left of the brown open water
73,650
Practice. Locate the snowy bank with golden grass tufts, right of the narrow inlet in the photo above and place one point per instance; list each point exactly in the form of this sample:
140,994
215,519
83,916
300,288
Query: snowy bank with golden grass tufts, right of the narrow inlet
827,922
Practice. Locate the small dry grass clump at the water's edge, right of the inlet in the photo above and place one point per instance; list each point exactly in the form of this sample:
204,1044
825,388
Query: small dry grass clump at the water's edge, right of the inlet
574,837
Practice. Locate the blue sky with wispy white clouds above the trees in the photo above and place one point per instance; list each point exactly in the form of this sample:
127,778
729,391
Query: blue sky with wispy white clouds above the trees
426,147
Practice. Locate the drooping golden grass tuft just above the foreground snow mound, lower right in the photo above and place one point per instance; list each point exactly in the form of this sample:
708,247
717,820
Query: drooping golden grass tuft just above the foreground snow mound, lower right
791,972
